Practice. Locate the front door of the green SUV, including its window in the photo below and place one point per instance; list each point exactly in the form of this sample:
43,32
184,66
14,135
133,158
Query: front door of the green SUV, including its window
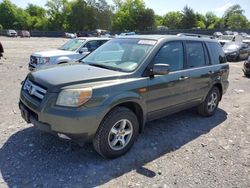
169,92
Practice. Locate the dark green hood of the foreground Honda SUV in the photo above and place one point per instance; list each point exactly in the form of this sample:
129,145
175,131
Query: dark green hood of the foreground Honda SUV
71,74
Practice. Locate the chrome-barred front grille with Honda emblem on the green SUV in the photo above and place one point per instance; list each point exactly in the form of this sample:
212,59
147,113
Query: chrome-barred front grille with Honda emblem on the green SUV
34,90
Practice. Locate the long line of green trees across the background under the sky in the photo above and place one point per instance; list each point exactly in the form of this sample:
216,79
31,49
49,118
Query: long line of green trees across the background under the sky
124,15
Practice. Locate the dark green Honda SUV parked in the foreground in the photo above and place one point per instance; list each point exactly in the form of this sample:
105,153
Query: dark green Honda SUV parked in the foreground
114,91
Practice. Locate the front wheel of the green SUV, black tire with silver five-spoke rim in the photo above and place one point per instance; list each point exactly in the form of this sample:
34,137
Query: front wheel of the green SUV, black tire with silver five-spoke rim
117,133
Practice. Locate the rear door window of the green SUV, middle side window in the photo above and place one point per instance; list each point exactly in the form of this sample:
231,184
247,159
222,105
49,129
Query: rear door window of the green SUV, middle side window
195,54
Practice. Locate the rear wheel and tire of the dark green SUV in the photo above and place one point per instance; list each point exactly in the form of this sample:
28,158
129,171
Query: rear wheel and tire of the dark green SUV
209,106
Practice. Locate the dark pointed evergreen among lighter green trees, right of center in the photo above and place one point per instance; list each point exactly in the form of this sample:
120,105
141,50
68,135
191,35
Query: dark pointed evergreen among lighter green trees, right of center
188,18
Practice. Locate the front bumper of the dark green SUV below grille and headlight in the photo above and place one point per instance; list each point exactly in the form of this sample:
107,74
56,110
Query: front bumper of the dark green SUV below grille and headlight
79,124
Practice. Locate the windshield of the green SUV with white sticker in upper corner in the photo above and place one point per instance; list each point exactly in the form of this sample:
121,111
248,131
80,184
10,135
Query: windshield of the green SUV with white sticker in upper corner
120,54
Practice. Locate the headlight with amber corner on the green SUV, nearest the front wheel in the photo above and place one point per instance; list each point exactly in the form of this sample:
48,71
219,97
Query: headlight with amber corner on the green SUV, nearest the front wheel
74,97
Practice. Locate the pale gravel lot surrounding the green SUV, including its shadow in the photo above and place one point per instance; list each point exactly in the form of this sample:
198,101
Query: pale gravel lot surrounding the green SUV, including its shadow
181,150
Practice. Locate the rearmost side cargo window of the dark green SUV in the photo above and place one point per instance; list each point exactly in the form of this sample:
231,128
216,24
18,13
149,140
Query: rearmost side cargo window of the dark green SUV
216,53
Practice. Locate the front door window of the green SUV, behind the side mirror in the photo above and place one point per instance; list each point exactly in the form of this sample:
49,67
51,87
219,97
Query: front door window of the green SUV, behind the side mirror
171,53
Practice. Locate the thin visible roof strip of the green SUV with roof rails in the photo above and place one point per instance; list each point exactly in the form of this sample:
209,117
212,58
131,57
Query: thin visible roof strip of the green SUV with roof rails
160,37
